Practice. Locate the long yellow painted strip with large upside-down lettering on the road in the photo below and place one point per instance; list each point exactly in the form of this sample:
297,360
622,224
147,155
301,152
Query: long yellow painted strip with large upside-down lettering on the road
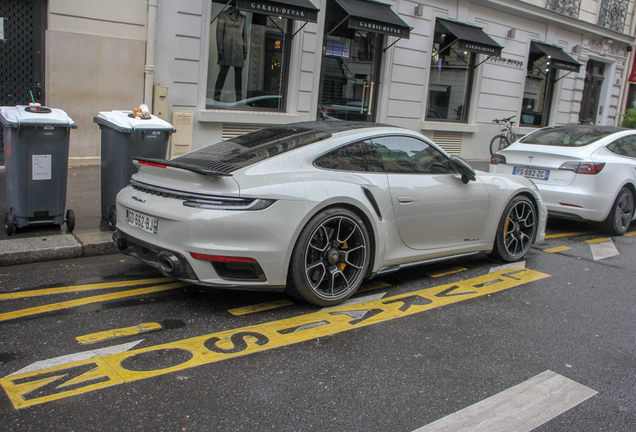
58,382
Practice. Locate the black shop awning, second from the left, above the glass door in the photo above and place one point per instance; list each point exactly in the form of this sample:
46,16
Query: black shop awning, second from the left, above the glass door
366,15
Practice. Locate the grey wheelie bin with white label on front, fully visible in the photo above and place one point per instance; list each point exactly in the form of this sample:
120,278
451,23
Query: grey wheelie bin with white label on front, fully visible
36,142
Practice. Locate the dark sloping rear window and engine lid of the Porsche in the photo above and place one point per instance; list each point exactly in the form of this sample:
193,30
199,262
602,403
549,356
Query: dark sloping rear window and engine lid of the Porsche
254,147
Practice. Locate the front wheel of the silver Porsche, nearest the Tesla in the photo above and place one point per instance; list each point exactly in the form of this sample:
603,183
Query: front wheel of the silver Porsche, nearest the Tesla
516,230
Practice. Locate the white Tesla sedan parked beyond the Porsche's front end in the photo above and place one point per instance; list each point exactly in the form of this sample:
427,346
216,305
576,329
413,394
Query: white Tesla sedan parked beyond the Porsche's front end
583,172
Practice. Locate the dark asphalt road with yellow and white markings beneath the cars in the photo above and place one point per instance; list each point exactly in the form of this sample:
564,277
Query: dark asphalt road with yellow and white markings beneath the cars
150,354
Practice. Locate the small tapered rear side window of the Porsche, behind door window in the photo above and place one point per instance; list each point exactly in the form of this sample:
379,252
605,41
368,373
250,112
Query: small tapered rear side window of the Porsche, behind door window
359,156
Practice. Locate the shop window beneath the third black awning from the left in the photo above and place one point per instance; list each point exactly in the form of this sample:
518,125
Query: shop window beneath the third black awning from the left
450,78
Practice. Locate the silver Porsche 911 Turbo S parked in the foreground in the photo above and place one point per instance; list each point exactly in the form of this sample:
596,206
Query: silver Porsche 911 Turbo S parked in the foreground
315,208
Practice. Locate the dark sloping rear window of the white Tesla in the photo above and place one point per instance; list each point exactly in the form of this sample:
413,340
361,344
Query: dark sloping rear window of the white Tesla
574,136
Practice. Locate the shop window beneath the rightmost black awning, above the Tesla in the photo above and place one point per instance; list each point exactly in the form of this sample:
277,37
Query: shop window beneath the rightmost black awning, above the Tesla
537,92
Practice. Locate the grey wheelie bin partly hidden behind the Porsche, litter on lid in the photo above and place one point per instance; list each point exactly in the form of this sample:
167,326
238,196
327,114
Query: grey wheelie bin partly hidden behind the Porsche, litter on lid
125,136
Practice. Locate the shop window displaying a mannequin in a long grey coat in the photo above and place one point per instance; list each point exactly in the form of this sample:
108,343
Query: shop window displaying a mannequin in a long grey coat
248,59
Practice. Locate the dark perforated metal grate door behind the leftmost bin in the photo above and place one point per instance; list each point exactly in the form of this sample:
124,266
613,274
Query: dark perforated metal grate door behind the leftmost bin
21,54
